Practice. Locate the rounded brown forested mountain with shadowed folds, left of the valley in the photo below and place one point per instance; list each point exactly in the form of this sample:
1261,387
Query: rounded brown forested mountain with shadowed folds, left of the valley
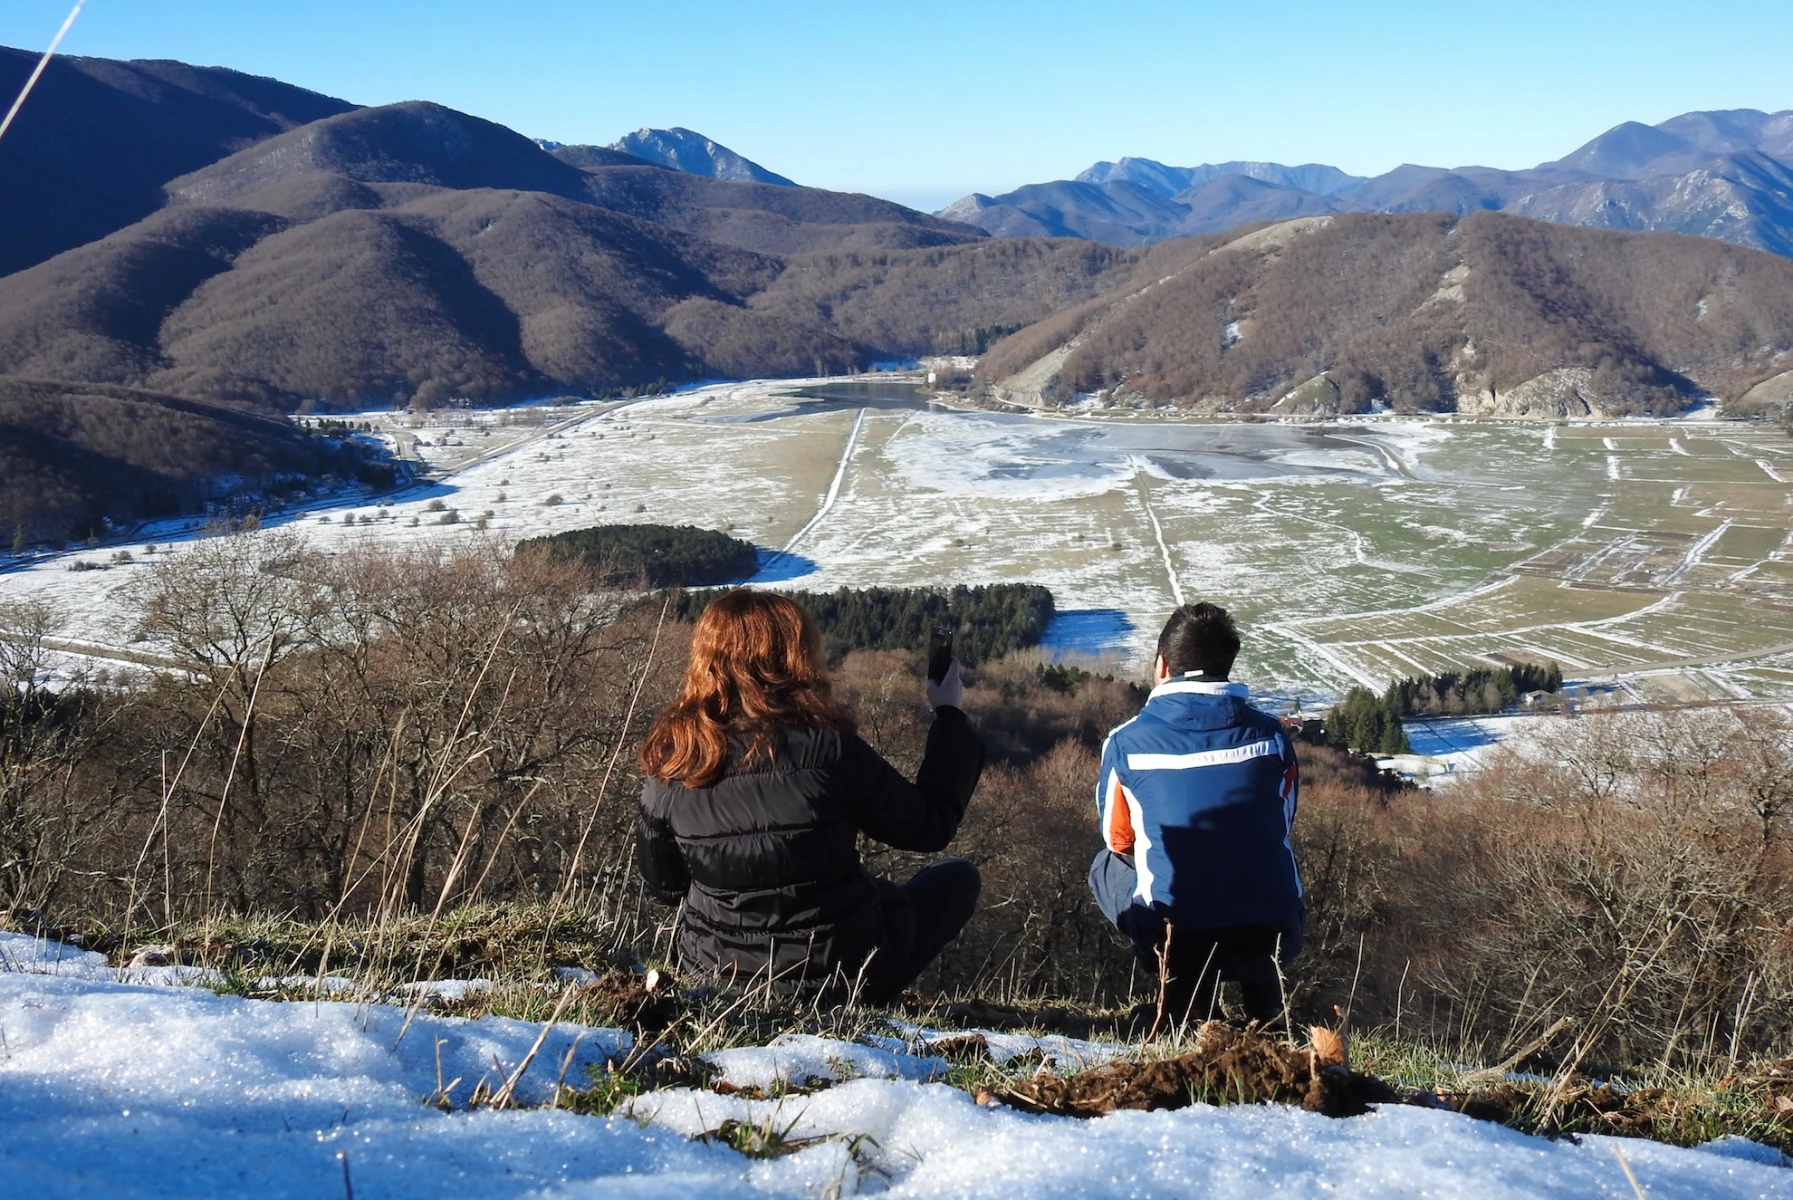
368,256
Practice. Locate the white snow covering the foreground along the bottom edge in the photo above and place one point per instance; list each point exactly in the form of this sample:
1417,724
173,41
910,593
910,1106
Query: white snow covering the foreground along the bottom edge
116,1084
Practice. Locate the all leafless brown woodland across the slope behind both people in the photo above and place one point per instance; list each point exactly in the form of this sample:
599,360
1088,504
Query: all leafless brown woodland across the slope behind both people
379,733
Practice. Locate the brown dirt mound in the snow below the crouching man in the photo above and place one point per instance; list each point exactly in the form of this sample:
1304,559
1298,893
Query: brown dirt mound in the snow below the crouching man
1226,1066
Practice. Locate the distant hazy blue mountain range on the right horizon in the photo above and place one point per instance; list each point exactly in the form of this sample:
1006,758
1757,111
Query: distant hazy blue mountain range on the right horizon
1724,175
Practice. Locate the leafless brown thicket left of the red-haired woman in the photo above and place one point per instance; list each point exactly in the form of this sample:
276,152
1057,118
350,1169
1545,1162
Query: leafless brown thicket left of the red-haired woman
381,729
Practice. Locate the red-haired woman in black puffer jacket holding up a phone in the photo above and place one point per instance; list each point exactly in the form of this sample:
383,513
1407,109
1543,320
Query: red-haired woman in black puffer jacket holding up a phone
758,792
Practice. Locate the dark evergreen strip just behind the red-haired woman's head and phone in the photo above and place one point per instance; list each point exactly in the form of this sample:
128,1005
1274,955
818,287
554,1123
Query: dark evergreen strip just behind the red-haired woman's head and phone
987,622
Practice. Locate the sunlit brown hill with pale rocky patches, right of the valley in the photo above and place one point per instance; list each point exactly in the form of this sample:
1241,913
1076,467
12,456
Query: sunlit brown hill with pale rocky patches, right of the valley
1486,315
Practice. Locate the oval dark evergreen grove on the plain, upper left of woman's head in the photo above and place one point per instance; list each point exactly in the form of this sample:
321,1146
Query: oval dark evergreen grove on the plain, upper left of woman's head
661,555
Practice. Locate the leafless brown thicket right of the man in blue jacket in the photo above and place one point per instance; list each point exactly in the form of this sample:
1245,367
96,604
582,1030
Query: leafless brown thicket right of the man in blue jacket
1618,871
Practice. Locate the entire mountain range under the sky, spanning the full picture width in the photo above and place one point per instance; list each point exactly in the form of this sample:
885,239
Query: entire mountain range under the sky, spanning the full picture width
191,252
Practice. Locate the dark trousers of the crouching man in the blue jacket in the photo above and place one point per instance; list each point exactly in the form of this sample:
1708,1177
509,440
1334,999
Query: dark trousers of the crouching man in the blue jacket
1199,961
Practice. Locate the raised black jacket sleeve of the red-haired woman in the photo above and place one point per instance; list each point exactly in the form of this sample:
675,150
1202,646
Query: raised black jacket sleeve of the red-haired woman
922,815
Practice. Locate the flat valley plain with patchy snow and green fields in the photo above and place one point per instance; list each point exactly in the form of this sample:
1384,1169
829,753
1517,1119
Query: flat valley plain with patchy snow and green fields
1645,557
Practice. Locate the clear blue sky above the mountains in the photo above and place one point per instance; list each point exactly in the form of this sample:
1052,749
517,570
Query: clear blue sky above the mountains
928,101
